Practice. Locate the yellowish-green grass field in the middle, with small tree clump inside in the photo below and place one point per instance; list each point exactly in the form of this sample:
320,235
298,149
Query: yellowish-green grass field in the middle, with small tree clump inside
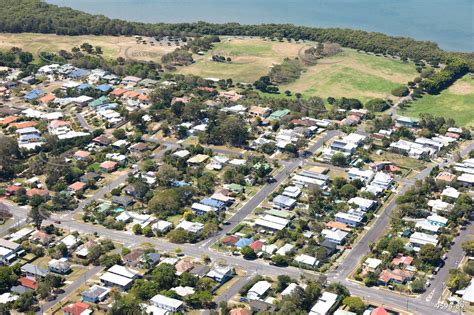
251,59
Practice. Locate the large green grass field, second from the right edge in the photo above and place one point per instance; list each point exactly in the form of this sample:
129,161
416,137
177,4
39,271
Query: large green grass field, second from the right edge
353,74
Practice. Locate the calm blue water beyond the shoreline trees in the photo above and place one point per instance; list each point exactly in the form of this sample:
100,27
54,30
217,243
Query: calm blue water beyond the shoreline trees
450,23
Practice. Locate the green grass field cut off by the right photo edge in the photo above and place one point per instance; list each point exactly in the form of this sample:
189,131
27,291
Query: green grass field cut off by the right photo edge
456,102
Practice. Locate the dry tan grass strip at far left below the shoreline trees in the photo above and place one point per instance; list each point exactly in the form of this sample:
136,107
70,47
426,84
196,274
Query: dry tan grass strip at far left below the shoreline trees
112,46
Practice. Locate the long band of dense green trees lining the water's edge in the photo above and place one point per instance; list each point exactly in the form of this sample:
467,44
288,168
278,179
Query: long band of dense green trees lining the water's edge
35,16
